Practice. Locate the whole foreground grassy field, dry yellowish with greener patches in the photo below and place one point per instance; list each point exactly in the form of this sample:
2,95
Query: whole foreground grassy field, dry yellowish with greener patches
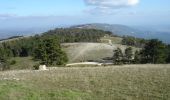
129,82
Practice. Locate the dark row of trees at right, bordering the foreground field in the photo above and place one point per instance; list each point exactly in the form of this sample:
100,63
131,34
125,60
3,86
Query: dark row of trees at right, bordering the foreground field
154,52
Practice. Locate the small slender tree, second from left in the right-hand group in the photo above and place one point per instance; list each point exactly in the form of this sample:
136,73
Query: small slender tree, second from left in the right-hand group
128,55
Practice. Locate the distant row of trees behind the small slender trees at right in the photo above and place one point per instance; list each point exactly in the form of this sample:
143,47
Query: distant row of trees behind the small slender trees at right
132,41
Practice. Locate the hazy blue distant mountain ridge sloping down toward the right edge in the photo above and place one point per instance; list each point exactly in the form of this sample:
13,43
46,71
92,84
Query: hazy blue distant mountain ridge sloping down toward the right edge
123,30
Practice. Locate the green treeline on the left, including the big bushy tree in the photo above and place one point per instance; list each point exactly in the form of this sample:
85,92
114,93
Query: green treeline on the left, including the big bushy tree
46,50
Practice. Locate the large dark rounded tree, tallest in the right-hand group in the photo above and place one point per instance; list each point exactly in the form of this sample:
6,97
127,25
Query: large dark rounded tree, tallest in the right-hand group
154,52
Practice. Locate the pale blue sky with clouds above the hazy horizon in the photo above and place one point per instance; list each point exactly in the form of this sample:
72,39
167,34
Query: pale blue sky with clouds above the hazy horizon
42,13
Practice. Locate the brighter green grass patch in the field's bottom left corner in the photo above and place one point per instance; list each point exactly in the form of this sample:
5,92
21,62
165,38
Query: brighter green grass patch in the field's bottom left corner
12,90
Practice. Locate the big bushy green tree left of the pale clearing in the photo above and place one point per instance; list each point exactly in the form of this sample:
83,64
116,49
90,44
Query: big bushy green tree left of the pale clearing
49,52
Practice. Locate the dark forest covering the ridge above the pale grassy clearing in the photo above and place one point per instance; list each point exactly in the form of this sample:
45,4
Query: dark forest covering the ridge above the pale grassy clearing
77,34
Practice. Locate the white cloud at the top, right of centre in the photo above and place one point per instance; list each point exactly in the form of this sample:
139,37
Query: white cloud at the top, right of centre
109,6
